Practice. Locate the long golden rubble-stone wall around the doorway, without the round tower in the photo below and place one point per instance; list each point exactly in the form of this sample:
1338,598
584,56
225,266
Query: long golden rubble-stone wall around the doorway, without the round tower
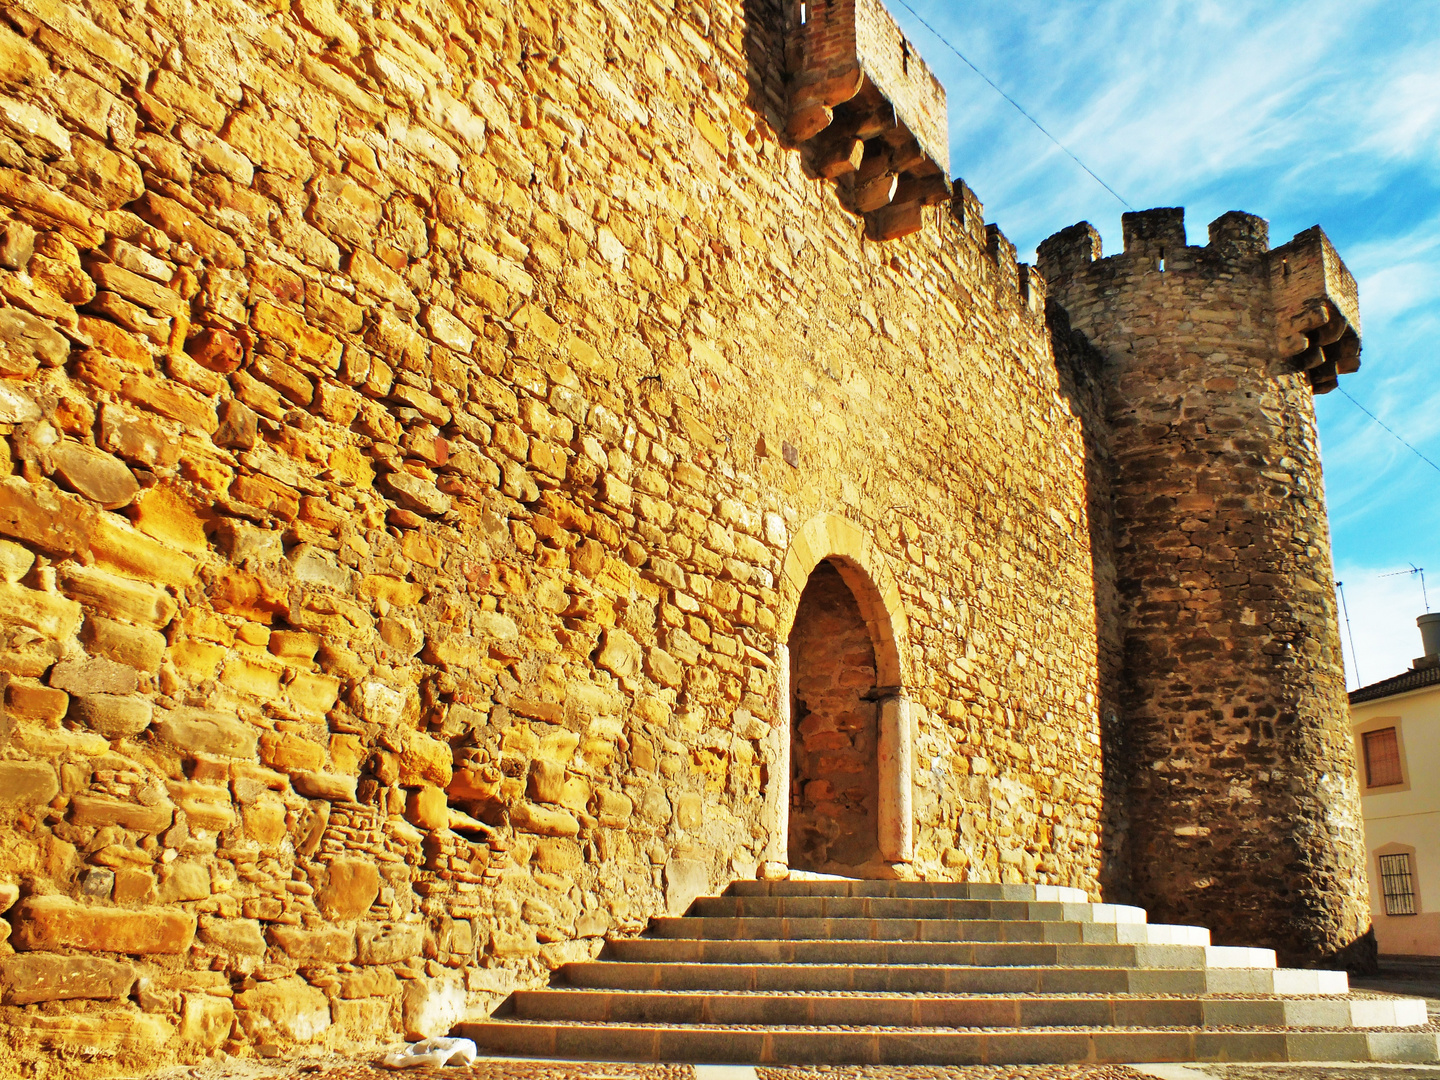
417,430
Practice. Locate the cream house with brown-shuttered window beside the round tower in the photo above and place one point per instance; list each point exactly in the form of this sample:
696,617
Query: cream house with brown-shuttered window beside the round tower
1398,751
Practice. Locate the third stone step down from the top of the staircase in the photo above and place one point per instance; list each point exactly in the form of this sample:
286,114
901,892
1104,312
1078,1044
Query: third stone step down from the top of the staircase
928,931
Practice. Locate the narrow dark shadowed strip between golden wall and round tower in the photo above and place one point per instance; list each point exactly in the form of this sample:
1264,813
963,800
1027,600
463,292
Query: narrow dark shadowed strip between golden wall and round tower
1079,368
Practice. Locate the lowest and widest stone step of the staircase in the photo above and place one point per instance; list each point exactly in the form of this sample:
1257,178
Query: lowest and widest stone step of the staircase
788,1045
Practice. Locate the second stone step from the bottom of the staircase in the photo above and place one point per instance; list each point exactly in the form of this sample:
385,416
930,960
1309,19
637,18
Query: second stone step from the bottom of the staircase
961,1012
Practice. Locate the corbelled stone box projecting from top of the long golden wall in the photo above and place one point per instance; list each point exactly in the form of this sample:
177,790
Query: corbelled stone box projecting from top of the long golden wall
868,113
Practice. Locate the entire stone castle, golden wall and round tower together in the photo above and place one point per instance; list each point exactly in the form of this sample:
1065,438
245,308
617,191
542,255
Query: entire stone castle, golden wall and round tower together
421,423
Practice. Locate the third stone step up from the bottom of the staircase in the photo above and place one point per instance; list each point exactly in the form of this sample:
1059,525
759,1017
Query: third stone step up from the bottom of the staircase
953,980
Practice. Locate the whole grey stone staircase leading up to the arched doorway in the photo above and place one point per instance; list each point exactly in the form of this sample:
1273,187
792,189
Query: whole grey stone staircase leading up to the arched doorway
917,973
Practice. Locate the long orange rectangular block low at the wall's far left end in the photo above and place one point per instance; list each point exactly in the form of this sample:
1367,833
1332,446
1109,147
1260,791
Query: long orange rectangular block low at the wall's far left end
53,922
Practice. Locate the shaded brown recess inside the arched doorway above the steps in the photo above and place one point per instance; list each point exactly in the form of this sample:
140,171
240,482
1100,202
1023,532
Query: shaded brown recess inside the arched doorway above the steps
834,729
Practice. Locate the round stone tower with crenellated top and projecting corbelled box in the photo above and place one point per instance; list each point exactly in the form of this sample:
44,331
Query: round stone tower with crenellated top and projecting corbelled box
1245,811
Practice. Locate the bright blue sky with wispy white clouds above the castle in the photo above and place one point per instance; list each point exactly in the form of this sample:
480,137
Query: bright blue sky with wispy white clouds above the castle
1320,113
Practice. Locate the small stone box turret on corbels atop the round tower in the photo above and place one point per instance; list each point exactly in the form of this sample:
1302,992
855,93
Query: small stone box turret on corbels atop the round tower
1317,310
